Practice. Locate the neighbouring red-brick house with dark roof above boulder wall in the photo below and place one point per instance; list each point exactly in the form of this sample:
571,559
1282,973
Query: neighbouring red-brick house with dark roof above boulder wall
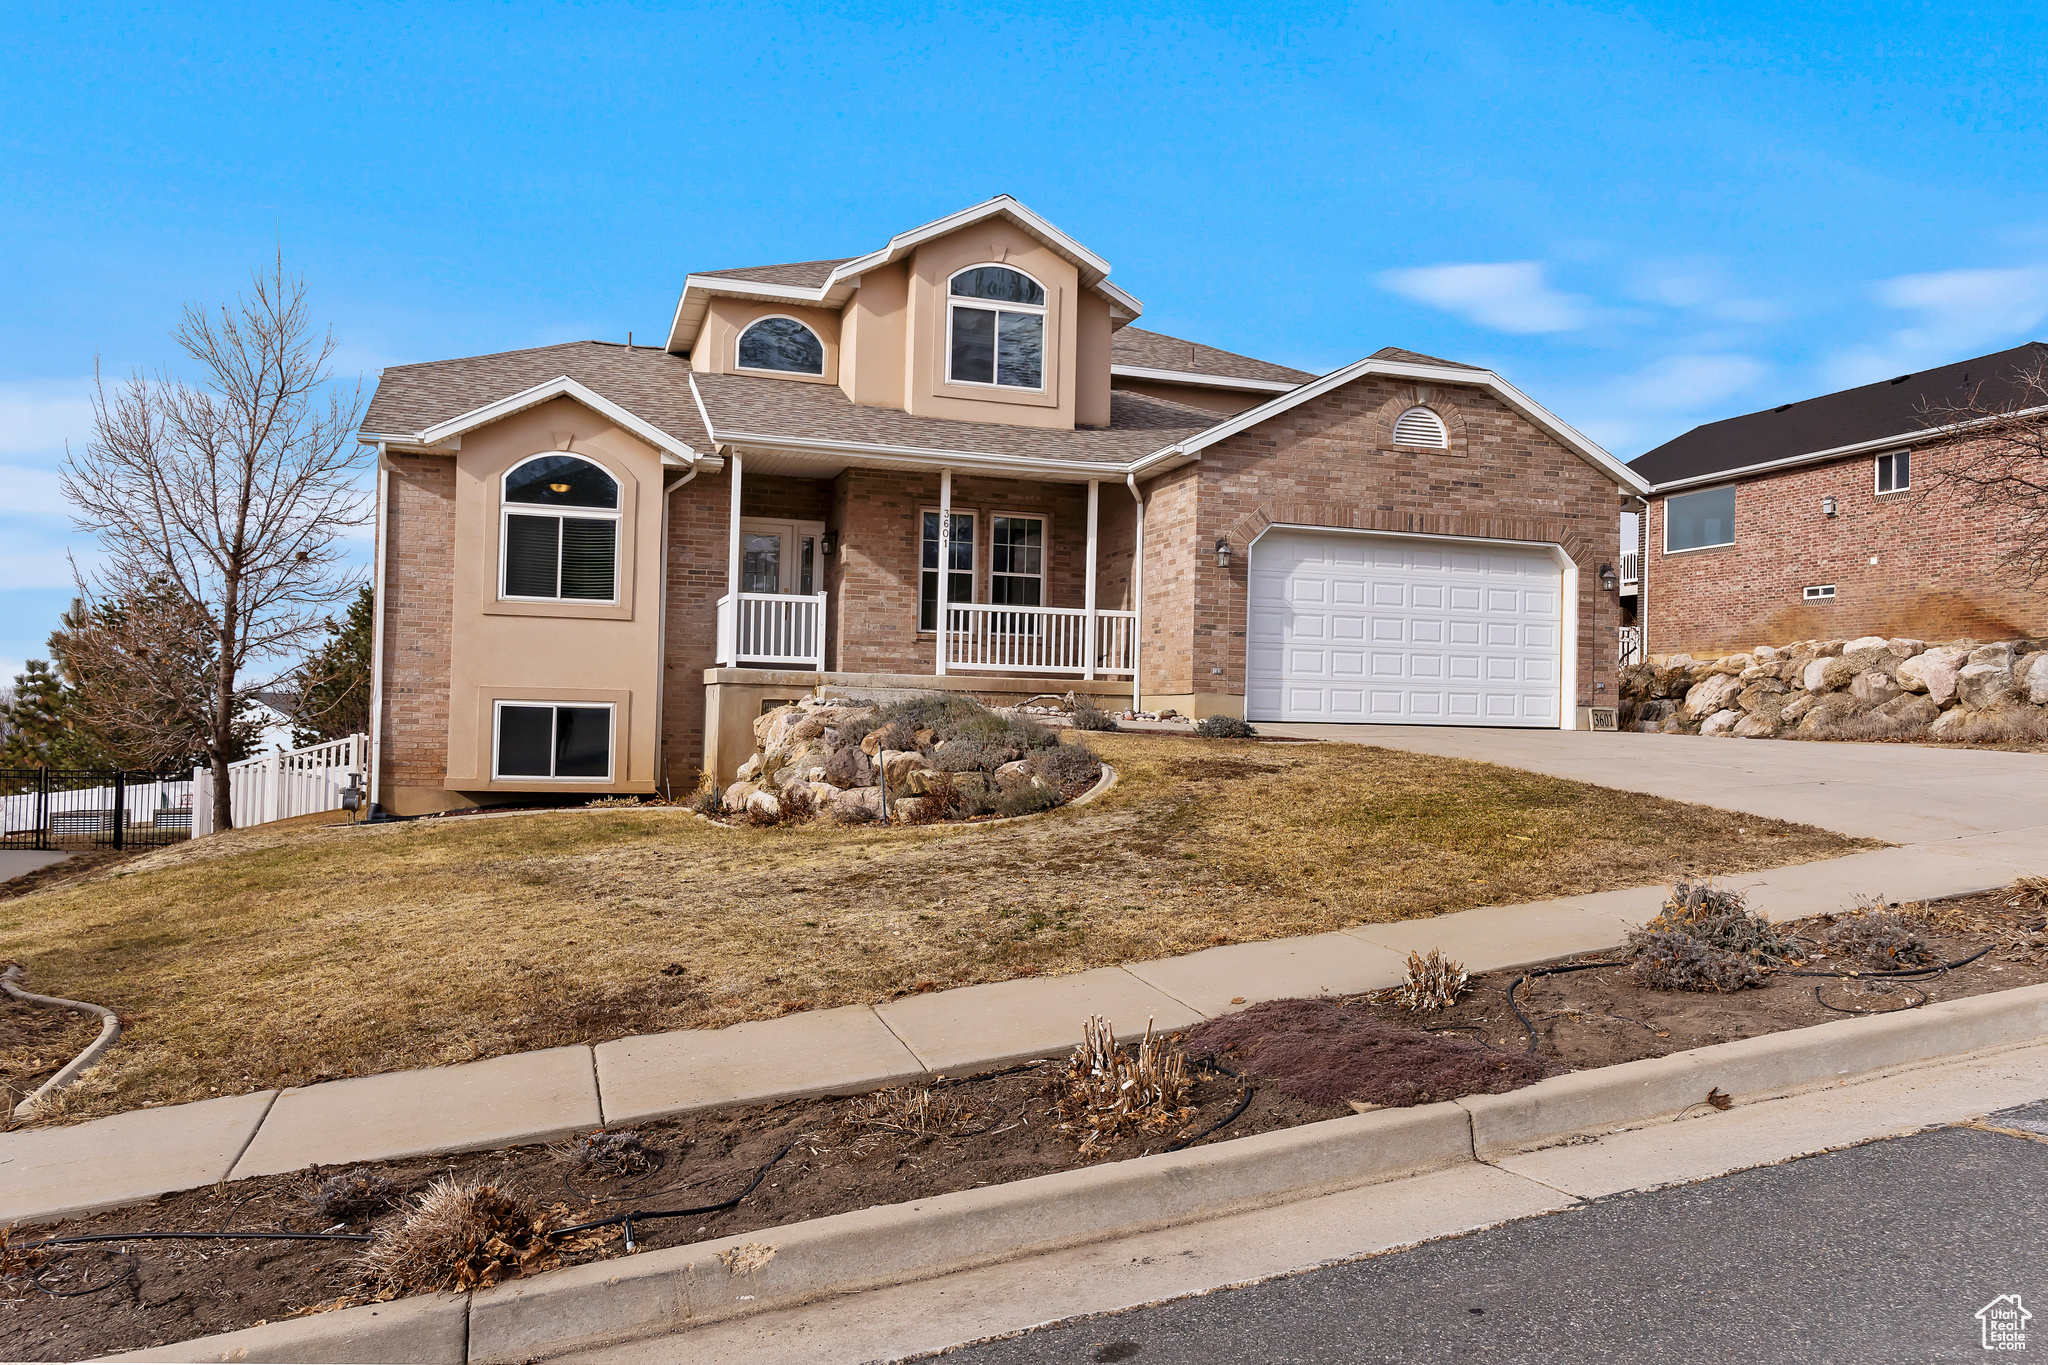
1828,519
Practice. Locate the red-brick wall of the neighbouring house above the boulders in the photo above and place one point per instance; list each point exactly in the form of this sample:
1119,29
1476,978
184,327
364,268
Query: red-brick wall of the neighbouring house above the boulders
1936,574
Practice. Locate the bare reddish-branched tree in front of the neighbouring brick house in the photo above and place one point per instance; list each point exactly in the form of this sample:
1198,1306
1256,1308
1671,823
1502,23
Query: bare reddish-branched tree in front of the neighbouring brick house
1996,455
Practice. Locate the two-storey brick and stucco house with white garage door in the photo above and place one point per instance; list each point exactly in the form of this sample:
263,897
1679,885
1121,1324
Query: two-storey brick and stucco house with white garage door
955,464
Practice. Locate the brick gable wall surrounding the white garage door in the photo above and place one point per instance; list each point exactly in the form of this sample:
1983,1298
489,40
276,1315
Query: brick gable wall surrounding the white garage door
1332,464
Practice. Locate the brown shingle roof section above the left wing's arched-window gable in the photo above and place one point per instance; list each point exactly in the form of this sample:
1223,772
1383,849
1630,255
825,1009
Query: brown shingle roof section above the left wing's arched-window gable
646,382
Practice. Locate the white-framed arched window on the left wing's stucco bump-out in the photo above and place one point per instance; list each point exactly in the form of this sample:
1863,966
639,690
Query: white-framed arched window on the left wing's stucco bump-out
558,531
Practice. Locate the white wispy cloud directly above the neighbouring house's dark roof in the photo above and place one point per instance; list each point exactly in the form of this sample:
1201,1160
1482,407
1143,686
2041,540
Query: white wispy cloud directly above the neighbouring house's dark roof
1959,314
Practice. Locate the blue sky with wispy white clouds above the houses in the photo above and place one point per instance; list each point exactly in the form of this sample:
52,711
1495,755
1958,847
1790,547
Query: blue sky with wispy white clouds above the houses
1646,216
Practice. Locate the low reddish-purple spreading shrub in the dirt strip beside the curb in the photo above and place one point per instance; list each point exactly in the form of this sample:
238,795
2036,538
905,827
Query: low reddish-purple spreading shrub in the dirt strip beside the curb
1326,1055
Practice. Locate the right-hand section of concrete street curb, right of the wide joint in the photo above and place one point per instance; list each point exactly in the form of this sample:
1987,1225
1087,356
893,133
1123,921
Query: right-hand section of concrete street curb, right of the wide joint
1752,1069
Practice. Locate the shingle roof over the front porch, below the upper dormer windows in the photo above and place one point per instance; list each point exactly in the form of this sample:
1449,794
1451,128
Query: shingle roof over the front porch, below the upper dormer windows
744,404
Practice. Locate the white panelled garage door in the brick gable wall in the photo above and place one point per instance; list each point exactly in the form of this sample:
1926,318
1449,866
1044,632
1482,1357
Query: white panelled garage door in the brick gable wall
1402,631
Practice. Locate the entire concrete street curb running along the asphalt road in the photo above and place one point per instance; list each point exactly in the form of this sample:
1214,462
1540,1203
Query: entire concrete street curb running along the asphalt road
663,1292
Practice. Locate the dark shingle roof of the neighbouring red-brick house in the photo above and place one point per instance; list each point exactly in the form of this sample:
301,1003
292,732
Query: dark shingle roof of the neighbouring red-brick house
1834,421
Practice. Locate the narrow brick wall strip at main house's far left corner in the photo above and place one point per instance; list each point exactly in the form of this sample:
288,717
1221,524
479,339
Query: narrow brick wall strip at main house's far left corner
419,599
